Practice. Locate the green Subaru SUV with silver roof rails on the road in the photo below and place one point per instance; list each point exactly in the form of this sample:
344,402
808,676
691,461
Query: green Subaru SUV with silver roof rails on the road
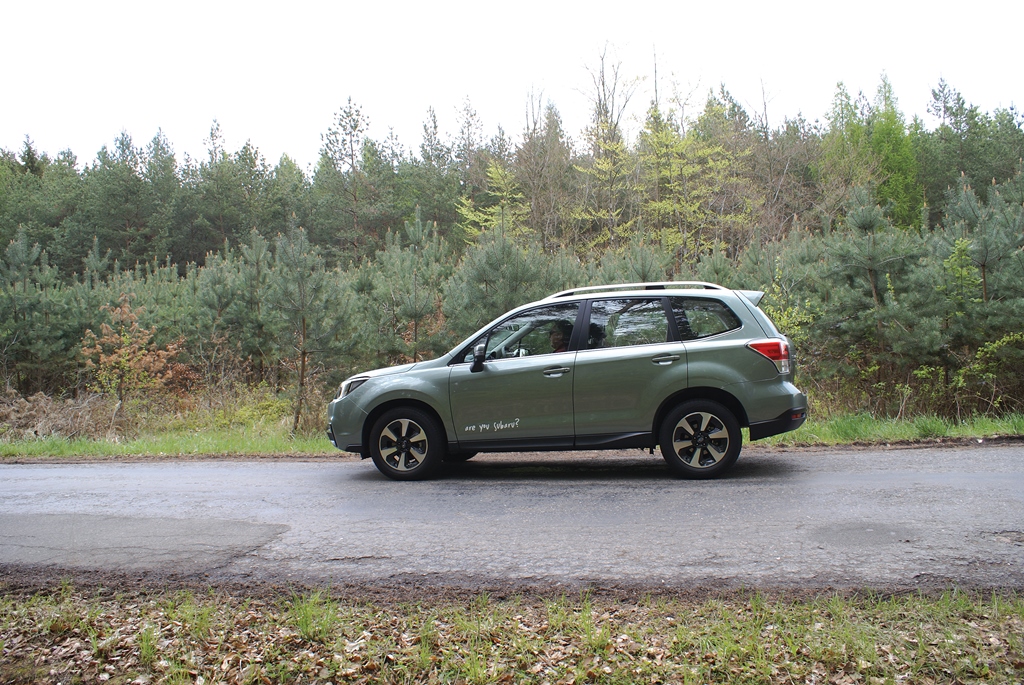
684,366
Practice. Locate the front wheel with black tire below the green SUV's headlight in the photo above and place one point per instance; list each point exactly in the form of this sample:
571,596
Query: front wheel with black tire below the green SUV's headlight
407,444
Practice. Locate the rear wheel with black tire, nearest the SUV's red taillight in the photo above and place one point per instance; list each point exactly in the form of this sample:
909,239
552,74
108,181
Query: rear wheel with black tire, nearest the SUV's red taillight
701,440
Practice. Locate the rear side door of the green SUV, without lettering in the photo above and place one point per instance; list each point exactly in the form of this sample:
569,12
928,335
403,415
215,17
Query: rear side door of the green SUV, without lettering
629,365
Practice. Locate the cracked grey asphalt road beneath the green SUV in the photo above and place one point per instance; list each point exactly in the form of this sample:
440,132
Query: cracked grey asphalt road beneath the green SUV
837,519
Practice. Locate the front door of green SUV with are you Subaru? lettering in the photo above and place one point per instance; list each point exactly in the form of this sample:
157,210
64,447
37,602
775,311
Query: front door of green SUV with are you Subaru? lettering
524,394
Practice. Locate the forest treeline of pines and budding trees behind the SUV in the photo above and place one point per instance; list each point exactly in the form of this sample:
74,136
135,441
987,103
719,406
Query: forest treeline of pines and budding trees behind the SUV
893,253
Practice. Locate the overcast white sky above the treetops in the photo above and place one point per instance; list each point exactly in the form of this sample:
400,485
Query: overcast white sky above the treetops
77,74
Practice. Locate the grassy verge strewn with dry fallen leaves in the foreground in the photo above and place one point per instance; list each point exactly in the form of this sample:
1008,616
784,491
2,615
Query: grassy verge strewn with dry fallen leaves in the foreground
165,637
